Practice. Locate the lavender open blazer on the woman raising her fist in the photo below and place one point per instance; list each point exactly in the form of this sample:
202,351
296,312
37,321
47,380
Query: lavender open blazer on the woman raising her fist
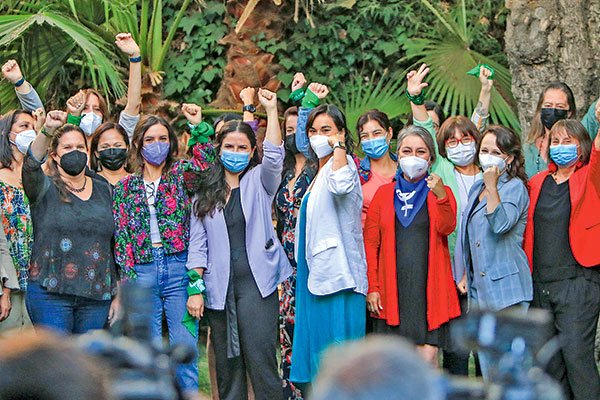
209,246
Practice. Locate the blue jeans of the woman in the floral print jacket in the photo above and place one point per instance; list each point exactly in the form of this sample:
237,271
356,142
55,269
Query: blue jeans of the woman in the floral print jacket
167,280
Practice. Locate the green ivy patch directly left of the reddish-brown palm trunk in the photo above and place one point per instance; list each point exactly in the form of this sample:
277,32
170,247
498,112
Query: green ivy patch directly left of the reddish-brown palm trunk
194,66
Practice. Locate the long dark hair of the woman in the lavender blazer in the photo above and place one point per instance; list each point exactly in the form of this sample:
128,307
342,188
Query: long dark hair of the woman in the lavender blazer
212,189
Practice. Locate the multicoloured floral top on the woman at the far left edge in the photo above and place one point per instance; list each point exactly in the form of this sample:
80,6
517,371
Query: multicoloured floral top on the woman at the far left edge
16,221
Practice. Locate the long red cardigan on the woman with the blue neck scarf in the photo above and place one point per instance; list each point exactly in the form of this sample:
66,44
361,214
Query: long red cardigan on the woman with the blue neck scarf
380,246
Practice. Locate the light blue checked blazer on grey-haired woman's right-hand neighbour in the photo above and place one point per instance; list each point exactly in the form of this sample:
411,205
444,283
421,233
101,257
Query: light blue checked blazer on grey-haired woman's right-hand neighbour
493,246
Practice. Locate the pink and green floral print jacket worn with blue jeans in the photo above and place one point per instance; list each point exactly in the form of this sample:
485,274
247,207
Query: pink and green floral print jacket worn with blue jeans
173,206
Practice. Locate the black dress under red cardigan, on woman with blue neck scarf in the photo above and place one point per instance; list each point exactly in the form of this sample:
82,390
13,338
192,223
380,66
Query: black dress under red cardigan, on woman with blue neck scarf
412,260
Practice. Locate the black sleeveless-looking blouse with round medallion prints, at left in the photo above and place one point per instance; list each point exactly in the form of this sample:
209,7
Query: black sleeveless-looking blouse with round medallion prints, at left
73,251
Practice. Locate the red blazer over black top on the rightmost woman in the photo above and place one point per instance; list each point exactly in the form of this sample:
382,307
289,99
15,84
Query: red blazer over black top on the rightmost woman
584,226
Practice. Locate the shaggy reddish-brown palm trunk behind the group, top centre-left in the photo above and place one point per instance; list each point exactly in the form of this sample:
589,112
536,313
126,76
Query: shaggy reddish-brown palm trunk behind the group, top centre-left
247,64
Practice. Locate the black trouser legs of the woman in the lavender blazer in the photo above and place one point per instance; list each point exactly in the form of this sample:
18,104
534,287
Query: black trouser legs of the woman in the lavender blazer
257,328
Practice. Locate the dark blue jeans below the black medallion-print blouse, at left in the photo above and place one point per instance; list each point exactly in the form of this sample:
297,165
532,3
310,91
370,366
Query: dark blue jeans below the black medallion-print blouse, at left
64,312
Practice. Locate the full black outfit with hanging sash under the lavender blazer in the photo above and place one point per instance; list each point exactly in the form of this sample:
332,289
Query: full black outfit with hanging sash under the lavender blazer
244,335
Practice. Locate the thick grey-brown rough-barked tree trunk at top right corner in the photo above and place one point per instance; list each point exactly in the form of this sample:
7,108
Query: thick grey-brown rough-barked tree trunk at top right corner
553,40
